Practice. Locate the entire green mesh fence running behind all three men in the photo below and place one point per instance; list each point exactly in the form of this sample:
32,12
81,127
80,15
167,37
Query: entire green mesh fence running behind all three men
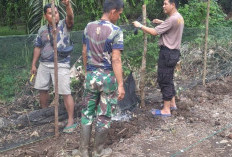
16,55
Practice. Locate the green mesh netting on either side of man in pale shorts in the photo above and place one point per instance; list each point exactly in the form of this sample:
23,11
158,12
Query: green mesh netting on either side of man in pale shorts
16,53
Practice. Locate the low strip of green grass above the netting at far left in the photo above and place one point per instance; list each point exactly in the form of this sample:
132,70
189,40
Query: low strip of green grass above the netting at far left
6,30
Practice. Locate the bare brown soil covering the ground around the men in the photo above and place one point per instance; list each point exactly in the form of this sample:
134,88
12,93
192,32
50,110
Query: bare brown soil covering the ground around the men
202,126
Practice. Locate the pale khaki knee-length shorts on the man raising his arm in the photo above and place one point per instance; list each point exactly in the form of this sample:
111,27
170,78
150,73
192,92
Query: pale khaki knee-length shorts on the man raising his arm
45,75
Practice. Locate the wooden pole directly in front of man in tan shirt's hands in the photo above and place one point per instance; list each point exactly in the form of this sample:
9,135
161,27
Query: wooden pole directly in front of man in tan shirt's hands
143,67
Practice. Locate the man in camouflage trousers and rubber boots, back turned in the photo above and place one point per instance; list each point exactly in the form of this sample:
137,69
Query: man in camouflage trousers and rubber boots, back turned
102,46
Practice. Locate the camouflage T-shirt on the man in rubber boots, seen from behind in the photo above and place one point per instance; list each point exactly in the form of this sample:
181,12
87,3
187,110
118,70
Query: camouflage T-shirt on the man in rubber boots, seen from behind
101,37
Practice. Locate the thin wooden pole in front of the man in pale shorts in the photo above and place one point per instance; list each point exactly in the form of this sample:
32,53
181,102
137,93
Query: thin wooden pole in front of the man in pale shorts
54,33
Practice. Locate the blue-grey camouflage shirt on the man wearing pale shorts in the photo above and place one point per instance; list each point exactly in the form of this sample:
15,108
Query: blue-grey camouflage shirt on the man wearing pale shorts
43,42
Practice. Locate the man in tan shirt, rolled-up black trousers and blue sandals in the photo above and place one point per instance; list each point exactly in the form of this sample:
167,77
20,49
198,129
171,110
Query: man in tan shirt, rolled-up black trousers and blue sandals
170,32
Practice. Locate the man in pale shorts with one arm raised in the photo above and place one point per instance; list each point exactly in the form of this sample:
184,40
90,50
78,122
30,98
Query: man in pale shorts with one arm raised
44,50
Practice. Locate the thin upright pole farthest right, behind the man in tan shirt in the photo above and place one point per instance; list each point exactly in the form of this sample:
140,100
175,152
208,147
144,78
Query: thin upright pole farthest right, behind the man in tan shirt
206,43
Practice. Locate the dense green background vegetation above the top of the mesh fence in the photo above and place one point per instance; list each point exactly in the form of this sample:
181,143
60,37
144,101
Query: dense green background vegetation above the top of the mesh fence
26,15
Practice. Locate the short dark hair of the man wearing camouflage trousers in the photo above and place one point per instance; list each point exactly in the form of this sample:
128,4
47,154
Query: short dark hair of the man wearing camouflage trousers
112,4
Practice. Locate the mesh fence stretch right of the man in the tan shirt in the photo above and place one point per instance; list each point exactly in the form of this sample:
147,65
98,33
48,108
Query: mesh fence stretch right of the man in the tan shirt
219,55
